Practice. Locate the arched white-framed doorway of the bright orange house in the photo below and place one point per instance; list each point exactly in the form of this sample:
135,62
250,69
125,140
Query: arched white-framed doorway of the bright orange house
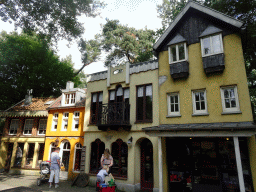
64,154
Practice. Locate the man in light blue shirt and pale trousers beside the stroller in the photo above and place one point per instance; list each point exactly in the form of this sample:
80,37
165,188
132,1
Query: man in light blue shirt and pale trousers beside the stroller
55,167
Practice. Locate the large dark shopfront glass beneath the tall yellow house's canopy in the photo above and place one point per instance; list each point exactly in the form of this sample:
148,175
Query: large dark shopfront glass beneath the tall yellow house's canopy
206,164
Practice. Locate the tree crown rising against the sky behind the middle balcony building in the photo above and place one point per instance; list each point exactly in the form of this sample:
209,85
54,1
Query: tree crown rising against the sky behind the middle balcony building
123,43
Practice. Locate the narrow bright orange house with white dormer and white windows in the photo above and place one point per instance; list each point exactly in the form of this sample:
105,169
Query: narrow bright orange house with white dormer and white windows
65,130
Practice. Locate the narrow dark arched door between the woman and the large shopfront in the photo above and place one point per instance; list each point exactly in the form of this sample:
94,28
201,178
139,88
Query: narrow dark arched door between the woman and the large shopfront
146,165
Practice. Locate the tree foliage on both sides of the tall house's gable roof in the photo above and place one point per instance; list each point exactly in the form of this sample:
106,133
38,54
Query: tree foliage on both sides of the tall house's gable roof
241,10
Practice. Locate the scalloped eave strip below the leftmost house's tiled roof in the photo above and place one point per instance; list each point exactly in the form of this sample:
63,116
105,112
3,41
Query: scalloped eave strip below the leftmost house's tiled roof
24,114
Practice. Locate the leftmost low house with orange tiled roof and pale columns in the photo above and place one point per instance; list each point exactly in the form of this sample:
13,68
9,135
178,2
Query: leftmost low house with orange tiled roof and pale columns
22,144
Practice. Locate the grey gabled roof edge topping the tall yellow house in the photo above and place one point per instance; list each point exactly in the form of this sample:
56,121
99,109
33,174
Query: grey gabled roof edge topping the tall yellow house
218,15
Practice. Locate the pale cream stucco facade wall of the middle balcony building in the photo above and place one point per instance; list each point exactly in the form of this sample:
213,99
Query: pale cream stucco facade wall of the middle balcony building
108,137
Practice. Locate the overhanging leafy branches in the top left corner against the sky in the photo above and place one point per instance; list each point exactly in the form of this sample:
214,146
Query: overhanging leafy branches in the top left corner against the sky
56,18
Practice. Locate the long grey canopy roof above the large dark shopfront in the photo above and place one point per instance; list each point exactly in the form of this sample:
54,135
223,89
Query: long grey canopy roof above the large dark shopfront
240,129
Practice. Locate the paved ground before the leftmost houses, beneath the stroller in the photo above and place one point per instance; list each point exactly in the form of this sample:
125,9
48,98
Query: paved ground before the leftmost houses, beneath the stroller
25,183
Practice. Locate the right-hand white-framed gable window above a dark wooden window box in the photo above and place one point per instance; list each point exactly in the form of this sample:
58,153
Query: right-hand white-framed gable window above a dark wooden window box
211,45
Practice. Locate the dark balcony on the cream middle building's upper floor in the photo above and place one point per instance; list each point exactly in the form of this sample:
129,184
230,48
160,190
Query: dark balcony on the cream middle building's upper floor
114,116
